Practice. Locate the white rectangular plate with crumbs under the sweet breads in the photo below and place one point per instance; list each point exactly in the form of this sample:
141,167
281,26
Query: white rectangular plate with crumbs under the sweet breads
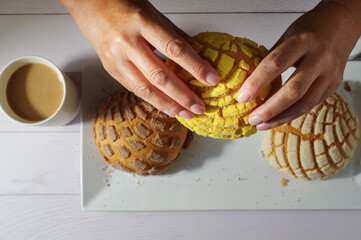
211,174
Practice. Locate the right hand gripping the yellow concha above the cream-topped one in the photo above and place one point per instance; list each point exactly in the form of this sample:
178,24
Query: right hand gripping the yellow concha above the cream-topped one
317,44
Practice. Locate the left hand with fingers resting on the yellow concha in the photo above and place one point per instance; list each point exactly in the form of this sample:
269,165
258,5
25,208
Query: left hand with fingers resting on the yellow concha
125,34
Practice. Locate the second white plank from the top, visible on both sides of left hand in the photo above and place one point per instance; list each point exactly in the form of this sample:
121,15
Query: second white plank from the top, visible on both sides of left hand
58,38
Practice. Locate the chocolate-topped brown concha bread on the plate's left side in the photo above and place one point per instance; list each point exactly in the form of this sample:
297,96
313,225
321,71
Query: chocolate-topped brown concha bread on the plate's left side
133,136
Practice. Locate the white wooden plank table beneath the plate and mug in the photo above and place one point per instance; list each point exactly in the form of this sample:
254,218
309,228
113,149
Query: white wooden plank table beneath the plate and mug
40,167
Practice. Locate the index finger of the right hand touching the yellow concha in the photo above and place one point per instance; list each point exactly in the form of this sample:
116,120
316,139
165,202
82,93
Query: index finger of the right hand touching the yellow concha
275,63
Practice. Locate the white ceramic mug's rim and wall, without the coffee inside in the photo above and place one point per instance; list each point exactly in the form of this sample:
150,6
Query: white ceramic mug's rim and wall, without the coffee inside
68,108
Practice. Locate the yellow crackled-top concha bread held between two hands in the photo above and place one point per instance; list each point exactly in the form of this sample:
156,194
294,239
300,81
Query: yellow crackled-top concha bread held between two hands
234,59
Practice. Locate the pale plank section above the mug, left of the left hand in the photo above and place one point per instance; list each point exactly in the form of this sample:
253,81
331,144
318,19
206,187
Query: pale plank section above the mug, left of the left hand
54,37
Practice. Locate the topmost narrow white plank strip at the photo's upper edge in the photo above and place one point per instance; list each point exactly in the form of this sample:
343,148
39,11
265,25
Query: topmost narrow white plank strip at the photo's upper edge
166,6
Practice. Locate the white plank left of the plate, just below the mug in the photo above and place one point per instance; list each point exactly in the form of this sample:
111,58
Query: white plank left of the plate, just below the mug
39,163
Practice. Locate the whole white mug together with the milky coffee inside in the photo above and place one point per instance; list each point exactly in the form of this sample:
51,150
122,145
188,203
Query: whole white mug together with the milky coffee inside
35,92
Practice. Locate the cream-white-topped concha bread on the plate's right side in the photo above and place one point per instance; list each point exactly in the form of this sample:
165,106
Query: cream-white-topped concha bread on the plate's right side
317,144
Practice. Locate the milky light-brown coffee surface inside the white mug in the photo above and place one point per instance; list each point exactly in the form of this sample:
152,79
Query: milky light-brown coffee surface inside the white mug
34,92
